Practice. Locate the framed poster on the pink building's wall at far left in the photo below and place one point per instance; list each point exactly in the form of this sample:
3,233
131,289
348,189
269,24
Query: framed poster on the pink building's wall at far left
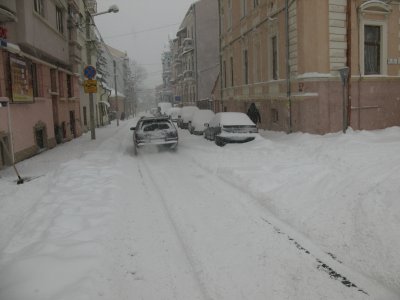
21,80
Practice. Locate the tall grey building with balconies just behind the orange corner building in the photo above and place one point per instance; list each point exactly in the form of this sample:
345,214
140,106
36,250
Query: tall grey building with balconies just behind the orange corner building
194,54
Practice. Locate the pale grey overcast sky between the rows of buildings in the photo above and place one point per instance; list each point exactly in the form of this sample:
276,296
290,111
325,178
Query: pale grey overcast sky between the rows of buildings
142,29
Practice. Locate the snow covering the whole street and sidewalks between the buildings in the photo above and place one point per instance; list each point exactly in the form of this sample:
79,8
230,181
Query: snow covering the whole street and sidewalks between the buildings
282,217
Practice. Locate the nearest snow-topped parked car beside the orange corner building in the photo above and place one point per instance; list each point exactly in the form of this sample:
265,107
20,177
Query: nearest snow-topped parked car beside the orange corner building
230,127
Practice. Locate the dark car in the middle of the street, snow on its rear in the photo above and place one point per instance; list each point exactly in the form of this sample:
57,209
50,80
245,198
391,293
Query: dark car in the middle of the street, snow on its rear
154,131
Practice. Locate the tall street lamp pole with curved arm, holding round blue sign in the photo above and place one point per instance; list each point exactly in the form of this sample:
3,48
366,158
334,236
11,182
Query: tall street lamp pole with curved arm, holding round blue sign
89,16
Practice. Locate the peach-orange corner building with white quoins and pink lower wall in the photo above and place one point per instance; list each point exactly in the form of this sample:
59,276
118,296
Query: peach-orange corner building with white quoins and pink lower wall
316,66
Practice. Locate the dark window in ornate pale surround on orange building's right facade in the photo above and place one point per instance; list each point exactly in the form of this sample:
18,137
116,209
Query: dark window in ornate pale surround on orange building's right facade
372,49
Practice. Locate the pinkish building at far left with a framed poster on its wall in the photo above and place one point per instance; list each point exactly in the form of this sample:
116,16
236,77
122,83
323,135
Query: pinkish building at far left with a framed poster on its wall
36,77
